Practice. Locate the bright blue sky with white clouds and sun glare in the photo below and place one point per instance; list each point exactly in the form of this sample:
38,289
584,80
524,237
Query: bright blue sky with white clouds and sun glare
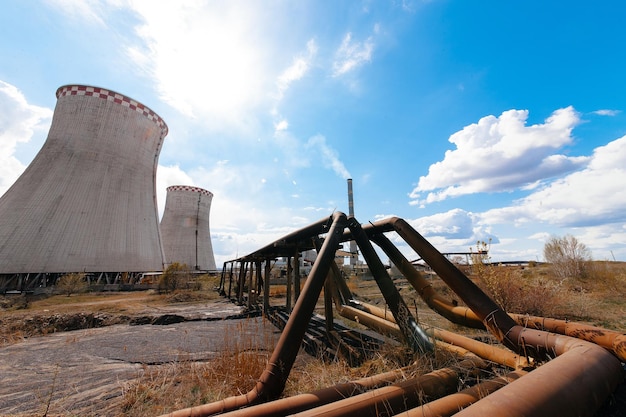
494,121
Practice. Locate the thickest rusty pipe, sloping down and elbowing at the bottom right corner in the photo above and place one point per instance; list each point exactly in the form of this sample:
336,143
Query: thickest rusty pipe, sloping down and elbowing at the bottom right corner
594,369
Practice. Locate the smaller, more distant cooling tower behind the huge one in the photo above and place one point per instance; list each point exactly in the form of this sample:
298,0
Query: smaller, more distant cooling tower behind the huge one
185,227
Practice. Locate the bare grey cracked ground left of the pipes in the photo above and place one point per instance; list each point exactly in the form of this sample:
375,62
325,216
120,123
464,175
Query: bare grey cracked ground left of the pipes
83,372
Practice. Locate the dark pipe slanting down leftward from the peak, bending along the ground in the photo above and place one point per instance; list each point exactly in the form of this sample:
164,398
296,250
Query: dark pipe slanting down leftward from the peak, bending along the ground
272,381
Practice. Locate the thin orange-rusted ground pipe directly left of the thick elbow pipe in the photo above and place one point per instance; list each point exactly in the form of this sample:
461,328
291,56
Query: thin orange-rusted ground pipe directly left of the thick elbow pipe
453,403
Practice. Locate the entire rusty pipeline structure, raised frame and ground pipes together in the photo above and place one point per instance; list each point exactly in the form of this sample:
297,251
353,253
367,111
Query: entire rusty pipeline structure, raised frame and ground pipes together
553,367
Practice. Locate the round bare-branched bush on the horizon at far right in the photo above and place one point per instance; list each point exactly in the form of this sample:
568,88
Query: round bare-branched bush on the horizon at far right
569,257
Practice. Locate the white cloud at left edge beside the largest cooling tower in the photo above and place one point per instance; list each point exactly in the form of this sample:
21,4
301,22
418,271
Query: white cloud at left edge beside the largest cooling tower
19,121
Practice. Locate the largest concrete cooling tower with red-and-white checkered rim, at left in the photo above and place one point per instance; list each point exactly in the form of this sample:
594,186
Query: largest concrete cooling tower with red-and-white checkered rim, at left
87,202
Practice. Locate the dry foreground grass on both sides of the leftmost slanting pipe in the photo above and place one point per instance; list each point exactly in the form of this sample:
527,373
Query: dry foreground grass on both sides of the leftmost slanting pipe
162,389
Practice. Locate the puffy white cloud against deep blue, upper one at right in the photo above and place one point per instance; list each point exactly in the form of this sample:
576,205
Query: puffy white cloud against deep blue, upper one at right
501,154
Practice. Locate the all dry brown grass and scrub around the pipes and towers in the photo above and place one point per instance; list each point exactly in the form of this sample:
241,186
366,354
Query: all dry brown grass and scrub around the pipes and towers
597,298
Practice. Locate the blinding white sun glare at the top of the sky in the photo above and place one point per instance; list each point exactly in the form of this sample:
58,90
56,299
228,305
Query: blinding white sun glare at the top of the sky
207,62
